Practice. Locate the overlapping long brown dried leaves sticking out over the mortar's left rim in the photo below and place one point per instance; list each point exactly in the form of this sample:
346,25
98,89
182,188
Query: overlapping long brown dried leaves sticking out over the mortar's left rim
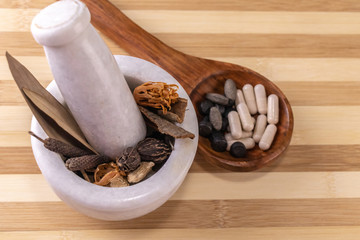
54,128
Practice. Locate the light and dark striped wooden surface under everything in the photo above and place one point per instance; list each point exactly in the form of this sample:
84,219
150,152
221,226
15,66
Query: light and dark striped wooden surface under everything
311,49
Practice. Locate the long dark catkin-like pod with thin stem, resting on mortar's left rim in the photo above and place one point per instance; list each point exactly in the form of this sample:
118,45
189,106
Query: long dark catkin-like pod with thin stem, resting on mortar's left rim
62,148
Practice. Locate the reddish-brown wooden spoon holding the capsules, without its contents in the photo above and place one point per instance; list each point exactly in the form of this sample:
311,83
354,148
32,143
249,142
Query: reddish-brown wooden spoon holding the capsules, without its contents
198,76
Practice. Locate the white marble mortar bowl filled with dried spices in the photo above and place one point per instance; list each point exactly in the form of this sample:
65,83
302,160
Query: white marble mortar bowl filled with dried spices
129,202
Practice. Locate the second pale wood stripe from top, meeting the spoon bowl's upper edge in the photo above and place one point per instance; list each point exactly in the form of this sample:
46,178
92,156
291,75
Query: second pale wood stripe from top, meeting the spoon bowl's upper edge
276,69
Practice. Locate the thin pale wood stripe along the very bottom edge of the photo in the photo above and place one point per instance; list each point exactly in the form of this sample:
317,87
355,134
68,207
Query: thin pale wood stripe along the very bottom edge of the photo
279,233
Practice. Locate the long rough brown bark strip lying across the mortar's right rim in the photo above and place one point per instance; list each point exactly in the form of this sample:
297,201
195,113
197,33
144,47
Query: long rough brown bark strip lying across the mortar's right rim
164,126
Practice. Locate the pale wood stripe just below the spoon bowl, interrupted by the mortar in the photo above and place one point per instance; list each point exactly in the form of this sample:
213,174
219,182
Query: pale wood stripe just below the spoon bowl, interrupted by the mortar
33,188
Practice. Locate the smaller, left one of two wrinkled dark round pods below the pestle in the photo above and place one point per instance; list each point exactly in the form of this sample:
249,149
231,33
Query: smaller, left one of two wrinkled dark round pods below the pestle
129,161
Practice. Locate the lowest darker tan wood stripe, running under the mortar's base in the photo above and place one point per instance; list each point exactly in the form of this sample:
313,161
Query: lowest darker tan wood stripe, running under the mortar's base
190,214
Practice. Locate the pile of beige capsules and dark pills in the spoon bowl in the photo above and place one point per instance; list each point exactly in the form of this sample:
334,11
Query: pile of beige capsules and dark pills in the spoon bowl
238,119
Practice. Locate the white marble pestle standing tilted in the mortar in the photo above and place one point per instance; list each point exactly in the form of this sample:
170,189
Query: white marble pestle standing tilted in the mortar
88,77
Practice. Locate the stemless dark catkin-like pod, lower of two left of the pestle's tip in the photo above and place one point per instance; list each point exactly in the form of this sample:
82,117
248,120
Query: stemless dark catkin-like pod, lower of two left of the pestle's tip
85,162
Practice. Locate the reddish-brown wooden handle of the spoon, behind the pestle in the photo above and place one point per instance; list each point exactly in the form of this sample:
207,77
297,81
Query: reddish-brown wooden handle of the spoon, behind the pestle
106,17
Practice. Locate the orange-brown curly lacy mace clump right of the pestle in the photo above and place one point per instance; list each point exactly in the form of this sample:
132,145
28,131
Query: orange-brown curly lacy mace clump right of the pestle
156,94
